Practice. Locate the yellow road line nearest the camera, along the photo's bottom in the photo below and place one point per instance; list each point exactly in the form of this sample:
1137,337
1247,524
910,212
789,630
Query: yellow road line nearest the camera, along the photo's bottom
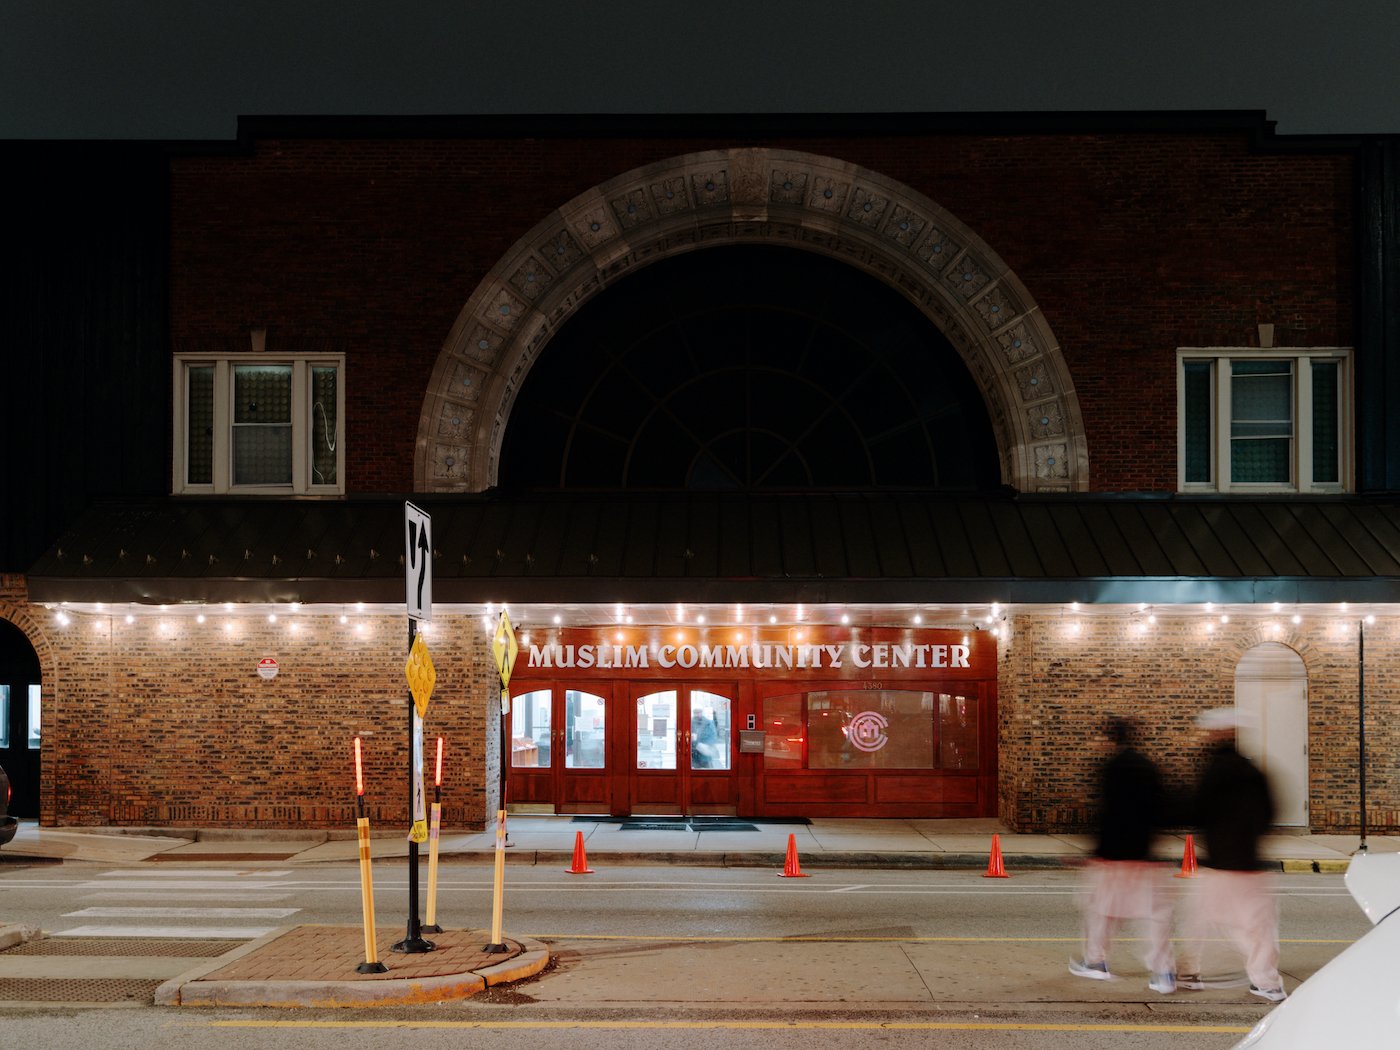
734,1025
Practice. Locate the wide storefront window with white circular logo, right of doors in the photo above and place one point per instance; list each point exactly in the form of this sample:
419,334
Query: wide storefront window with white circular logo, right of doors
871,730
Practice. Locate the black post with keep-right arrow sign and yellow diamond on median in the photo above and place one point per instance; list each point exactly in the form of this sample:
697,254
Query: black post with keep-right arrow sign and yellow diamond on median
418,563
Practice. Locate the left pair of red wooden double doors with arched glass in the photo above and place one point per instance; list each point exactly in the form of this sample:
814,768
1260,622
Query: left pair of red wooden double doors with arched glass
561,747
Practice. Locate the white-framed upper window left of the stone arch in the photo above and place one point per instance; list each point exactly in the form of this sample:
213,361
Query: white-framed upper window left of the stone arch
260,423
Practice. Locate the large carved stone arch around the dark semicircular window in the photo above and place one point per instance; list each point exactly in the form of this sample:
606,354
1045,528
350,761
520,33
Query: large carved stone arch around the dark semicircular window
747,195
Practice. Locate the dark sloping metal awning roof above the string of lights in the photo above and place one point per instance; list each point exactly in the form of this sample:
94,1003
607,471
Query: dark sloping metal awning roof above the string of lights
814,548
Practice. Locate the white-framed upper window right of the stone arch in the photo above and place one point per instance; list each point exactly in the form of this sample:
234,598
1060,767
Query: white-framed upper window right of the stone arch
1263,421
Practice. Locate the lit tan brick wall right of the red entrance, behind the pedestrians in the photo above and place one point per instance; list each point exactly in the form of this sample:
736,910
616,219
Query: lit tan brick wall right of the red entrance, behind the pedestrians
1056,688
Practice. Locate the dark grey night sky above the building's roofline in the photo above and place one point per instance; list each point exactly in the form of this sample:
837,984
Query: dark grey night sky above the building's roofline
181,69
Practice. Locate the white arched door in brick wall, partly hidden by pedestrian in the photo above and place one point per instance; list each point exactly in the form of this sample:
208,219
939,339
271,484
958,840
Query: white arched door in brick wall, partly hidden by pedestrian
1272,695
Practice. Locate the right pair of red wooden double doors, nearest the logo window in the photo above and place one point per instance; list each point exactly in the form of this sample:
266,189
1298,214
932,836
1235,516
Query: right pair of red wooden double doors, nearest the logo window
682,748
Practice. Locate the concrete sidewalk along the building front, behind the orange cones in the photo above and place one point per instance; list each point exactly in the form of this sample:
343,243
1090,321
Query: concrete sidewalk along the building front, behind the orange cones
712,842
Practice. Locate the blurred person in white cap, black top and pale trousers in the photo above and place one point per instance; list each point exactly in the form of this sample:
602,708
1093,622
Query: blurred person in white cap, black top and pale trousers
1234,810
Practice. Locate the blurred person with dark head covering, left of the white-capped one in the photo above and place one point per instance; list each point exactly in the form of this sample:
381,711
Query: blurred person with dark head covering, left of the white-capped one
1122,883
